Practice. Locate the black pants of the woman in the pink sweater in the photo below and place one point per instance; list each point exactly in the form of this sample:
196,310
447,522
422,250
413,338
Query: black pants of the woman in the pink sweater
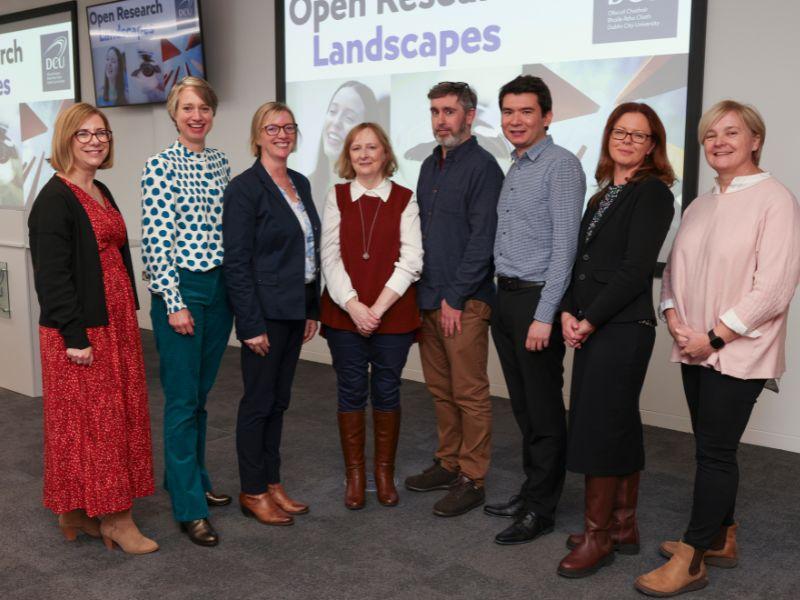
720,408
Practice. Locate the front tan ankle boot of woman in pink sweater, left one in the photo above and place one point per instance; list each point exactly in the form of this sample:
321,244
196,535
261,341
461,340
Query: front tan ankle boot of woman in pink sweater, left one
685,572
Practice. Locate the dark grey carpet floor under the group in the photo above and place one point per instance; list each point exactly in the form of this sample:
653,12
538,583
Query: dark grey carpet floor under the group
386,553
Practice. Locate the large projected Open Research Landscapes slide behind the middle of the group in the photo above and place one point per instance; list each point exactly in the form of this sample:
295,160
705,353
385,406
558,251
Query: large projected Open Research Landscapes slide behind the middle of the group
348,61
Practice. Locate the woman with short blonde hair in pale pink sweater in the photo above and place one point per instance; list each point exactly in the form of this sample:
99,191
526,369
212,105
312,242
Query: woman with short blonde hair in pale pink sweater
725,294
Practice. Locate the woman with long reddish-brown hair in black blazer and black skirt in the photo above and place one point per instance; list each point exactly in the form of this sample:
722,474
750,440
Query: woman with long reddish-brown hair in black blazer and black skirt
608,317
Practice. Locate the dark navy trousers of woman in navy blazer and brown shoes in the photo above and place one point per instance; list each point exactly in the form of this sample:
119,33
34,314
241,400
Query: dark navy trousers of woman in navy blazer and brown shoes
267,391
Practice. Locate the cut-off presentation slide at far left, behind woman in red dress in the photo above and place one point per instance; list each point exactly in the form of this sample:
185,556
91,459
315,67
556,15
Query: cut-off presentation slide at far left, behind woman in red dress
37,79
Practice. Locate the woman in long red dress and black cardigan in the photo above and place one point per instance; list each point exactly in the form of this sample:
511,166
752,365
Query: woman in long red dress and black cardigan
97,447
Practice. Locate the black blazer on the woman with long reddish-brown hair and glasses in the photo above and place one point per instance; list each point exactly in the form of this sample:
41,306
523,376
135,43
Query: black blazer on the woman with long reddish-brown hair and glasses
612,280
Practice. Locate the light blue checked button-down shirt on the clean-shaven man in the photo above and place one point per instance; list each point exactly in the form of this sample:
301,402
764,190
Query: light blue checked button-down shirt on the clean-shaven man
539,215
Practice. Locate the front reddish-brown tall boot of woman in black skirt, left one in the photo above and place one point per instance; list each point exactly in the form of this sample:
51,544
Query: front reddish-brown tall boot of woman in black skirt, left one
596,550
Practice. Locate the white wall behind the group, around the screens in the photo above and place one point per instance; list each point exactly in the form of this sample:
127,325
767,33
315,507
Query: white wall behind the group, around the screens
750,56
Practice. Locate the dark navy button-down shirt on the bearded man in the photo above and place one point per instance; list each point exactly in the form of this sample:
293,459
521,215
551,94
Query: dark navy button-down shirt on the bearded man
458,212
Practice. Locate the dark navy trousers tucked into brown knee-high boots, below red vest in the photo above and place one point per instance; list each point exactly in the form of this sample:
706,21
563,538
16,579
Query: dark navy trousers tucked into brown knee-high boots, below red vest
354,354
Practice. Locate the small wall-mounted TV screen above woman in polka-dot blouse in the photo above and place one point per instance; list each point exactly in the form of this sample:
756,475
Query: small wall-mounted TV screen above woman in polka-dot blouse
141,48
